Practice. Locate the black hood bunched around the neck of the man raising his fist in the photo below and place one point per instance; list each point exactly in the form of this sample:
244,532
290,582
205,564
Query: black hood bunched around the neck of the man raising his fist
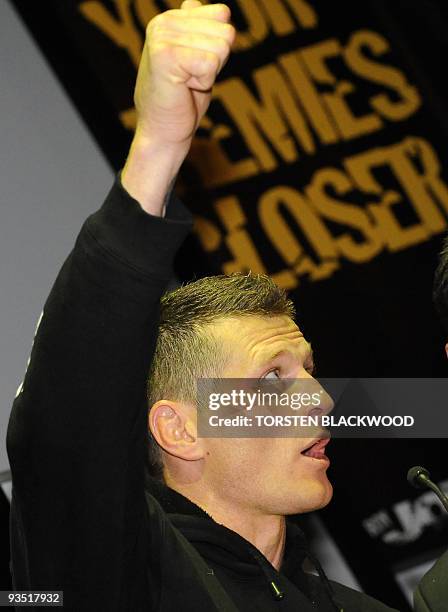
223,547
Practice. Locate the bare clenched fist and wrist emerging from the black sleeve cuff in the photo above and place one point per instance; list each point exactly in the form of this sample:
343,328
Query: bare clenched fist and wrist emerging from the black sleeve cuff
184,51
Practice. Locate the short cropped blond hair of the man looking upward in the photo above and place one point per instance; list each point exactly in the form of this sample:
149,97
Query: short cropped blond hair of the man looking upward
186,350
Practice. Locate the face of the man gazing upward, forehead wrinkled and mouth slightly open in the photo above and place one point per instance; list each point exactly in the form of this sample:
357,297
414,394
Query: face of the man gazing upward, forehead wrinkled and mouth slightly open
267,475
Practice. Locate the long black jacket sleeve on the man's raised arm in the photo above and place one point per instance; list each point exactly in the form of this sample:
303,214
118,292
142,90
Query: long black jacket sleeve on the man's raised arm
77,432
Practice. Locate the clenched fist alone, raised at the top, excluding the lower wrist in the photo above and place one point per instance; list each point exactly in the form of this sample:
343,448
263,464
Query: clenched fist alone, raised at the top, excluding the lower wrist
185,50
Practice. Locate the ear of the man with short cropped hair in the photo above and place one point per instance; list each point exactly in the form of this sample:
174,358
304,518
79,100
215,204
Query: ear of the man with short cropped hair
173,426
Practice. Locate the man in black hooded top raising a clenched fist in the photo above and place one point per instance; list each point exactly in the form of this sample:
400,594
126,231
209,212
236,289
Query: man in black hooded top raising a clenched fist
207,531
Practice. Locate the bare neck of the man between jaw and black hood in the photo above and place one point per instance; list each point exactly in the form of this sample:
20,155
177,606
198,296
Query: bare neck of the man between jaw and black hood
266,532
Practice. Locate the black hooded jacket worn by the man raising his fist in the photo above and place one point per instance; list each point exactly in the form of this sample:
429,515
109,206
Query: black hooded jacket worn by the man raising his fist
84,518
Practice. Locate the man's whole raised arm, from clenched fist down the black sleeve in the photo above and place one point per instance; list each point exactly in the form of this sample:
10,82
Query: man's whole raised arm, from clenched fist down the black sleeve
76,437
